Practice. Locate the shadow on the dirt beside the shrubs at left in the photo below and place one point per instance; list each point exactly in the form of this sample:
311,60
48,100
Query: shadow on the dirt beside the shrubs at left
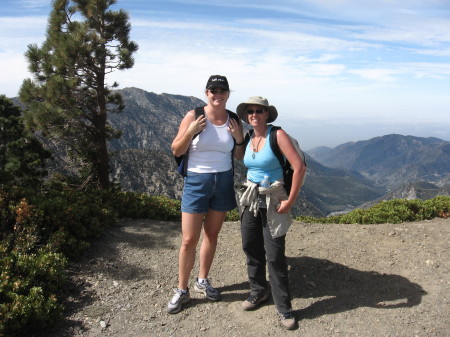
102,256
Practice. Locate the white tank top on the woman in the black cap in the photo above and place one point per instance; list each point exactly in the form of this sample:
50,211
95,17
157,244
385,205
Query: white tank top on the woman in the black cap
211,150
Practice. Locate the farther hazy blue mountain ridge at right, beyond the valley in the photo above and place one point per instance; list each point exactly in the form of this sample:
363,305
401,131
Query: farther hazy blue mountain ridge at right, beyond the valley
393,160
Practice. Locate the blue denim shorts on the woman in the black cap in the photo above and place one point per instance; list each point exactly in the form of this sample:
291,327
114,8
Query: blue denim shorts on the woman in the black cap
204,191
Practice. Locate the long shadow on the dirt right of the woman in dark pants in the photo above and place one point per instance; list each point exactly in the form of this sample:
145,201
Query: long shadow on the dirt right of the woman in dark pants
339,288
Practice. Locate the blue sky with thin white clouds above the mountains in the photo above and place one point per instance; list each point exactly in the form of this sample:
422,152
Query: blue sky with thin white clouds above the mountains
337,70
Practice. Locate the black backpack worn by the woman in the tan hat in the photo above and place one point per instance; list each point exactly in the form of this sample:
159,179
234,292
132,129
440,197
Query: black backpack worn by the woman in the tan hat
284,163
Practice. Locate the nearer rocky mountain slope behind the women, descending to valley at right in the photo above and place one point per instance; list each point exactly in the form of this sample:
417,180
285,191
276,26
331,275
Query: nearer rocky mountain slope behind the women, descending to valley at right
143,161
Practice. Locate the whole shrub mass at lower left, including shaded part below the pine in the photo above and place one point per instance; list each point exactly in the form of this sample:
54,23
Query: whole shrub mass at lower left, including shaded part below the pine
39,234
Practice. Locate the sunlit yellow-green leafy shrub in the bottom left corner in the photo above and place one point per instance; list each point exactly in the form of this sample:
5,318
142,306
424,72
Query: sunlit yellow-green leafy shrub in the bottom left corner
31,274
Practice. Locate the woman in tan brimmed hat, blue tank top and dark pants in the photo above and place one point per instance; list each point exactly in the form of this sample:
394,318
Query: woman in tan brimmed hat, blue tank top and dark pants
265,210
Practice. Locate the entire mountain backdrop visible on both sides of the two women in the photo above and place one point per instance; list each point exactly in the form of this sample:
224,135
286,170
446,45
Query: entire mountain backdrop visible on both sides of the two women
340,179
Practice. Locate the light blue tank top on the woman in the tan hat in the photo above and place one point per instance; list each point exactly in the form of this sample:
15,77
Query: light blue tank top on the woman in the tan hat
264,163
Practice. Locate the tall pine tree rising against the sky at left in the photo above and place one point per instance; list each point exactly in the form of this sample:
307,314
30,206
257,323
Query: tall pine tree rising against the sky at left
69,98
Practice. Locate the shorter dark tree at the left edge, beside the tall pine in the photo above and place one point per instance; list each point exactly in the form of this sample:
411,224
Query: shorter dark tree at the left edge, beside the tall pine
22,157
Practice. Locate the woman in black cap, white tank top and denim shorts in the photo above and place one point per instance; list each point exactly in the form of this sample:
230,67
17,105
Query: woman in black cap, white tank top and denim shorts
210,139
